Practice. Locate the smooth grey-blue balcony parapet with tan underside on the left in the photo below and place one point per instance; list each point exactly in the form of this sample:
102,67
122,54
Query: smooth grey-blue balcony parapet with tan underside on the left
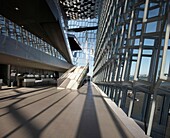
19,54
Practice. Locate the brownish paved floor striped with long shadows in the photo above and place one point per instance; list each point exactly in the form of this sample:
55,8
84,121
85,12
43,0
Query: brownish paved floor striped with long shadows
54,112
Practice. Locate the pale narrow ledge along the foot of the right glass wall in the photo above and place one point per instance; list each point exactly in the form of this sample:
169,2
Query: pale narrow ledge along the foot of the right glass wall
129,123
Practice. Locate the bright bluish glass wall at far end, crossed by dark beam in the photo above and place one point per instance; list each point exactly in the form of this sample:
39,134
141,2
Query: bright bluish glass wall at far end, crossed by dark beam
87,40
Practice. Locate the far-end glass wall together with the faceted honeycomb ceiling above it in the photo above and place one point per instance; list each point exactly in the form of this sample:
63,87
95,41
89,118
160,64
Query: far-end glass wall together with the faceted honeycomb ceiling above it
82,22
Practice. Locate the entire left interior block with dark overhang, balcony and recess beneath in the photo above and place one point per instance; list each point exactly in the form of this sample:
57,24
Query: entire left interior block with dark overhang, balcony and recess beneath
34,47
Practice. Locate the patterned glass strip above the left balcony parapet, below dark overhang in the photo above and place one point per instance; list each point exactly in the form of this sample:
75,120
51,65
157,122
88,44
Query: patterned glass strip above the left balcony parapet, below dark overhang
14,31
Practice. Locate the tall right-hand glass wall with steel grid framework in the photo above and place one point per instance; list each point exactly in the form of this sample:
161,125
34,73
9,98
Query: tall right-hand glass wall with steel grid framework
131,63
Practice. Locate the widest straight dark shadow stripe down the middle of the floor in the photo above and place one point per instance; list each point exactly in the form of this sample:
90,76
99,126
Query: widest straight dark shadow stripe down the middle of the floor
88,125
